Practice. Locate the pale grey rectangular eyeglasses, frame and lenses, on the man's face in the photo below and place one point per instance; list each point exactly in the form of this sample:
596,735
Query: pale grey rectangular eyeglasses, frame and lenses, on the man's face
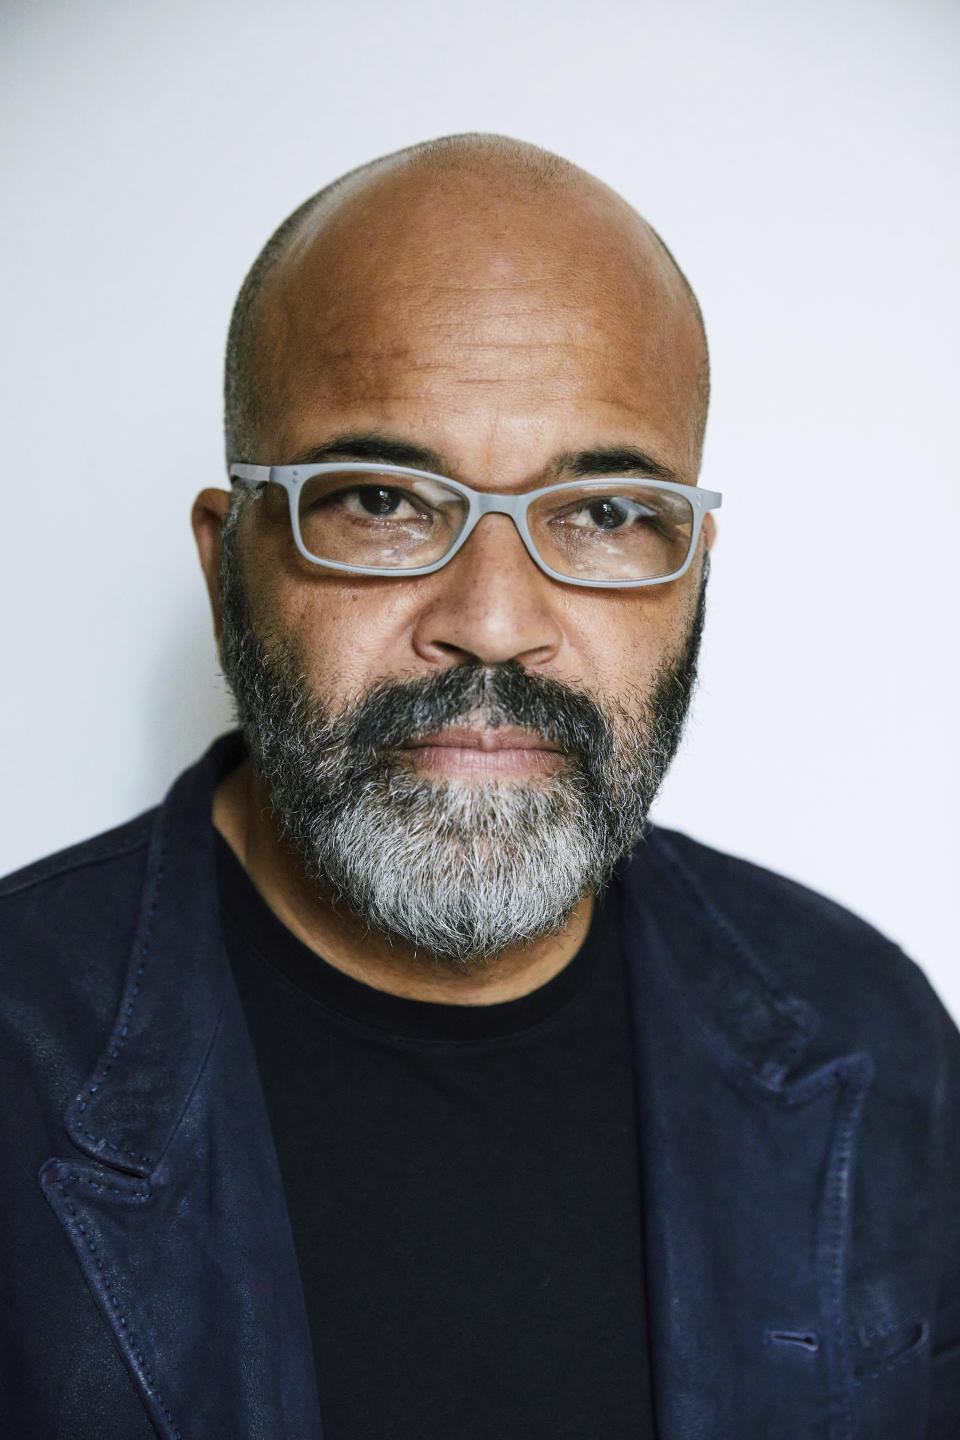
392,521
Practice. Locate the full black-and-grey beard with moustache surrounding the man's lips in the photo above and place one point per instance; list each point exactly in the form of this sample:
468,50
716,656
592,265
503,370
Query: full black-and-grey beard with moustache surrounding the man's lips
457,870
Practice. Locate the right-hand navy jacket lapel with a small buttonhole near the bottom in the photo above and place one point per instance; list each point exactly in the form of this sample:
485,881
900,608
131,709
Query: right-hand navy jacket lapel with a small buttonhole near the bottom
748,1148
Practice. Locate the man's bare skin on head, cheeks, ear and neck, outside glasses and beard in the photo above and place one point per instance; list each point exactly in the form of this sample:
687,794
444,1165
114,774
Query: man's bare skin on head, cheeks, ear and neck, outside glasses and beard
502,325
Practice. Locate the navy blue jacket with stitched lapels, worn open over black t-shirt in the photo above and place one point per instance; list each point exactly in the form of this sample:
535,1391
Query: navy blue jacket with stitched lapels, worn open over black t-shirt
800,1091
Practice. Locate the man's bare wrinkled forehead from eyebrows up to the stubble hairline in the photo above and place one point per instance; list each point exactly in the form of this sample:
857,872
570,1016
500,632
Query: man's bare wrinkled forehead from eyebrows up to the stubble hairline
471,307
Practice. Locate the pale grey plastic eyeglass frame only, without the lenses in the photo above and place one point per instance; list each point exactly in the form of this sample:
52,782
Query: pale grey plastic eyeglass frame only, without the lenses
480,503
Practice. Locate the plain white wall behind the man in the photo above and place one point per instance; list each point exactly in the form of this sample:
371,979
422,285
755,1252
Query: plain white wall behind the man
802,163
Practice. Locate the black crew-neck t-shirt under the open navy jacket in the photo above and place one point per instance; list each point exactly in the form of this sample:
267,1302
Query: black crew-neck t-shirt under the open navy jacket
464,1190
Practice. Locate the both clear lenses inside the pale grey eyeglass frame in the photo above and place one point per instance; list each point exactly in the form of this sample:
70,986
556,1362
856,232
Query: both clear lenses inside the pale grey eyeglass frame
622,532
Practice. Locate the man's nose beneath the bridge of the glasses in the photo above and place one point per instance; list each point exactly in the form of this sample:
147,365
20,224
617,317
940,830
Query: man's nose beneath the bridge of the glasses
490,604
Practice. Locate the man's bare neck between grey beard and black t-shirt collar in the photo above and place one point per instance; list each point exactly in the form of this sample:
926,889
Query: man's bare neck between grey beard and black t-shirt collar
243,816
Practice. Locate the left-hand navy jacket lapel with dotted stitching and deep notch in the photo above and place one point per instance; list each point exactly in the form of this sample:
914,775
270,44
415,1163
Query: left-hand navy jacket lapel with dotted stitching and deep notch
176,1210
